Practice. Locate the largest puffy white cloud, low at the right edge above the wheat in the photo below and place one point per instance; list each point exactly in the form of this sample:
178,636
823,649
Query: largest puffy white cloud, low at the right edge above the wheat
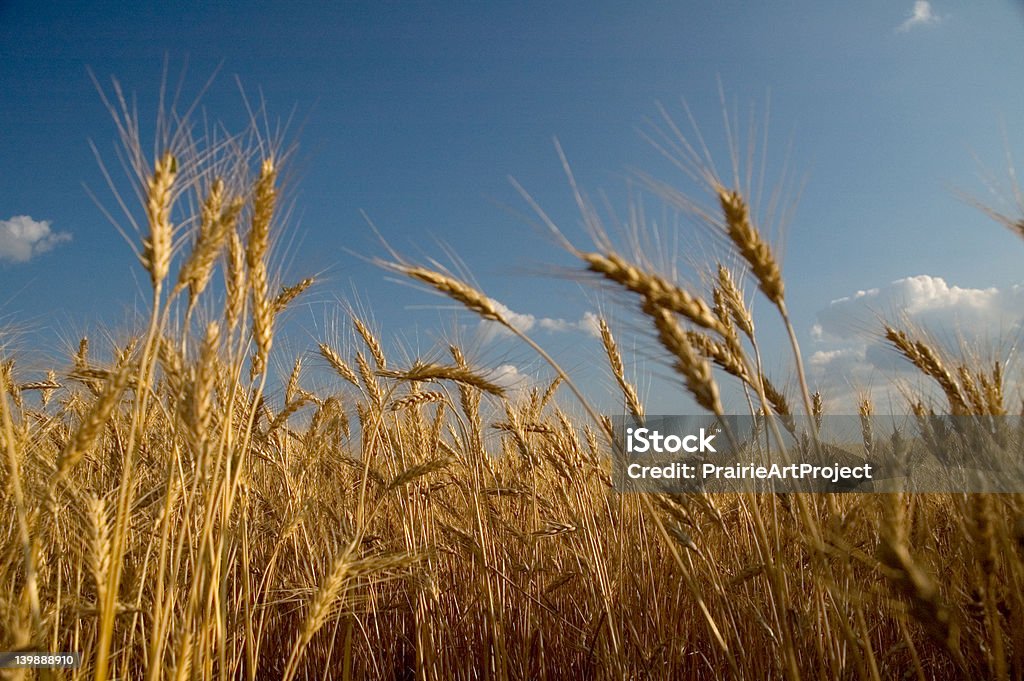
850,354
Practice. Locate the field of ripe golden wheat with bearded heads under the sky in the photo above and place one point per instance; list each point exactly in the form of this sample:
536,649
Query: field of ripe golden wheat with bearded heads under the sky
173,517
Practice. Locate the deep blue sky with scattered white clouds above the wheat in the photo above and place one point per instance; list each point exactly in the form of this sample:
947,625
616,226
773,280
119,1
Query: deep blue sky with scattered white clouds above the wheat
418,113
